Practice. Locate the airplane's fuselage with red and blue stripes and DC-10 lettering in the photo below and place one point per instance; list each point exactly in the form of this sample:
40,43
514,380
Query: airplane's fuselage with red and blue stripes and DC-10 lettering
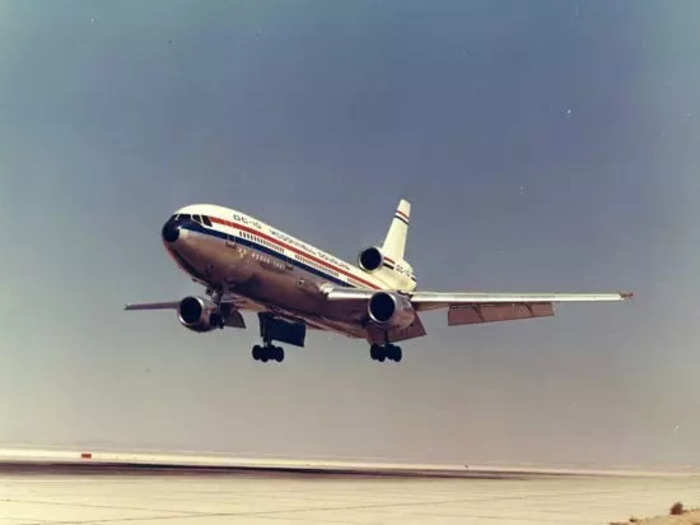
267,269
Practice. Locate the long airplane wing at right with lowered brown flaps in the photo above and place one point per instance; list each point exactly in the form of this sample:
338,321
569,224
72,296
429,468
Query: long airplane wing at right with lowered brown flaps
482,307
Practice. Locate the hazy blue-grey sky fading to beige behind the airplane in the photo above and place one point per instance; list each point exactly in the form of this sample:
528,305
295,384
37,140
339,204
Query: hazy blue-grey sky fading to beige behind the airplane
545,146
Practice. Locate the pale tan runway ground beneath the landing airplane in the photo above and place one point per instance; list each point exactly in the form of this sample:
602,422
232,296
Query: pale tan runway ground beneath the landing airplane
44,493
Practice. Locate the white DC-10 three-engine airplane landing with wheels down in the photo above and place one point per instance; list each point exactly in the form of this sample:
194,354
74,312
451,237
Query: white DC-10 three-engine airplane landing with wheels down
247,265
